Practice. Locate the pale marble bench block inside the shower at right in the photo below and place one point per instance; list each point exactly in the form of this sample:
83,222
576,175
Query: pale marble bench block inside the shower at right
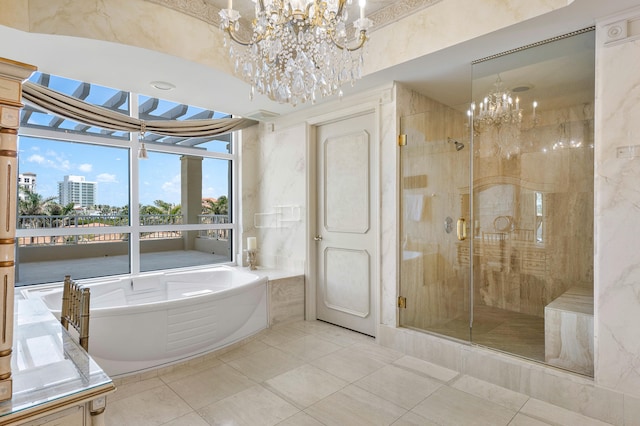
568,330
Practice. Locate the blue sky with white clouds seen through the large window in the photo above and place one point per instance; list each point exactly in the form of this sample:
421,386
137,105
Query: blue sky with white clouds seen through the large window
51,160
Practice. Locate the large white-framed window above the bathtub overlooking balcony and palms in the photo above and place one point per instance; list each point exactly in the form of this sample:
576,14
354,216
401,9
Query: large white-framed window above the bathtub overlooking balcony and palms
99,211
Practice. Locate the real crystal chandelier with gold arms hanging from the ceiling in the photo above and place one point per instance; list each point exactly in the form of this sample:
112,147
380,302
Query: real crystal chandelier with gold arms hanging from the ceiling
298,50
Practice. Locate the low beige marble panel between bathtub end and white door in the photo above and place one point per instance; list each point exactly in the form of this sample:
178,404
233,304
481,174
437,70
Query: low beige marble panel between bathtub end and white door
286,300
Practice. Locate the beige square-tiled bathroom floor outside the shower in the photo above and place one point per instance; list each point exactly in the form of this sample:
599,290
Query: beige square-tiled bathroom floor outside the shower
312,373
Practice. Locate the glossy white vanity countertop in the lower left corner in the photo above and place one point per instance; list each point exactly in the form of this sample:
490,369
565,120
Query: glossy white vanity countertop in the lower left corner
50,370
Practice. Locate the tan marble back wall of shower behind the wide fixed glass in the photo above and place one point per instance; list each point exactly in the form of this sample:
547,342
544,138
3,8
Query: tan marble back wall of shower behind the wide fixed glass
563,255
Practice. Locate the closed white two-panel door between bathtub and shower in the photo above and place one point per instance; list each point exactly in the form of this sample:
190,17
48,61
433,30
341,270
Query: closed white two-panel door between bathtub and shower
345,235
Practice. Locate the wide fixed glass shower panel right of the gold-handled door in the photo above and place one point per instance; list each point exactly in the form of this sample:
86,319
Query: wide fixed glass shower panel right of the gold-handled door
533,202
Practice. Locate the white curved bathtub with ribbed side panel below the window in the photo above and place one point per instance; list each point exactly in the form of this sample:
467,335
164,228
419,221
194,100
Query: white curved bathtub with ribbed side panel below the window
144,322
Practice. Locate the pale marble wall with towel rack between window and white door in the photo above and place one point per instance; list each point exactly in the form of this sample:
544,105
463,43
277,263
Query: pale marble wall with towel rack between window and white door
274,195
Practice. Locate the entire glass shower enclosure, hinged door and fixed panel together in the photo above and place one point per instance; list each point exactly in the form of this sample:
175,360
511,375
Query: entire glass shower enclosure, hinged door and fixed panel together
497,207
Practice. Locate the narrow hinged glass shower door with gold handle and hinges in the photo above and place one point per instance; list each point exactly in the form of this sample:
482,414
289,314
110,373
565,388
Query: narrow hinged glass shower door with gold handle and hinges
435,215
